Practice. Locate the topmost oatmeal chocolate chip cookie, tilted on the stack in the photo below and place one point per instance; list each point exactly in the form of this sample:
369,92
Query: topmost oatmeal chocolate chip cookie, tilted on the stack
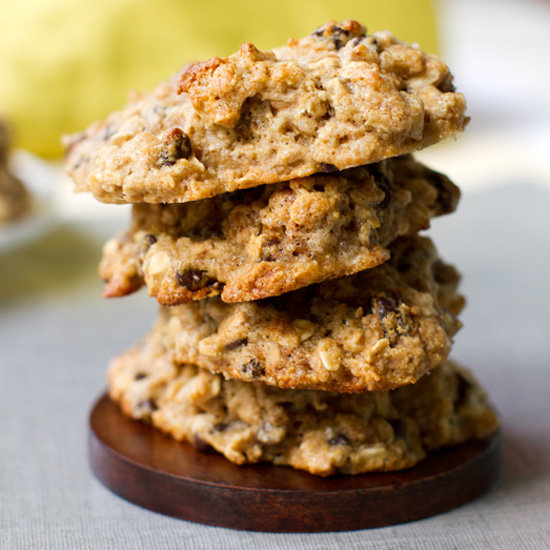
333,100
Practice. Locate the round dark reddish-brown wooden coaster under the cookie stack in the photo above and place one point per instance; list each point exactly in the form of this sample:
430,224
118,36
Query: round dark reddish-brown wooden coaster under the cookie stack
145,467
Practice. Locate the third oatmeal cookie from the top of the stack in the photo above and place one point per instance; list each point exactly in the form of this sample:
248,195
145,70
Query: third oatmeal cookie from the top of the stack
376,330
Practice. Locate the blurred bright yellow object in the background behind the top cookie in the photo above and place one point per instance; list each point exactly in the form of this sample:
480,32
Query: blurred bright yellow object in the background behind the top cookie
66,63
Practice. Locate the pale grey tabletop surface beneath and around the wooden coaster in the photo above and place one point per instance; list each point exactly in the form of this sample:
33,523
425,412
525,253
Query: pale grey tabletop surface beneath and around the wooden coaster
57,335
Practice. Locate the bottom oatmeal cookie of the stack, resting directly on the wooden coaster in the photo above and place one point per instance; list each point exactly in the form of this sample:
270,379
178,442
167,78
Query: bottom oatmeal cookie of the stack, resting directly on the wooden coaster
321,432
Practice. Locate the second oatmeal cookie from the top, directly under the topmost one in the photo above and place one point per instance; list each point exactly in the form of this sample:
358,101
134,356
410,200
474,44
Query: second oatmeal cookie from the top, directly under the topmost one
265,241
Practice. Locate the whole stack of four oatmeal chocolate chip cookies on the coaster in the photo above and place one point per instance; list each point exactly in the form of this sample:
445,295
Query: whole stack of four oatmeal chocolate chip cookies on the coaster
276,211
